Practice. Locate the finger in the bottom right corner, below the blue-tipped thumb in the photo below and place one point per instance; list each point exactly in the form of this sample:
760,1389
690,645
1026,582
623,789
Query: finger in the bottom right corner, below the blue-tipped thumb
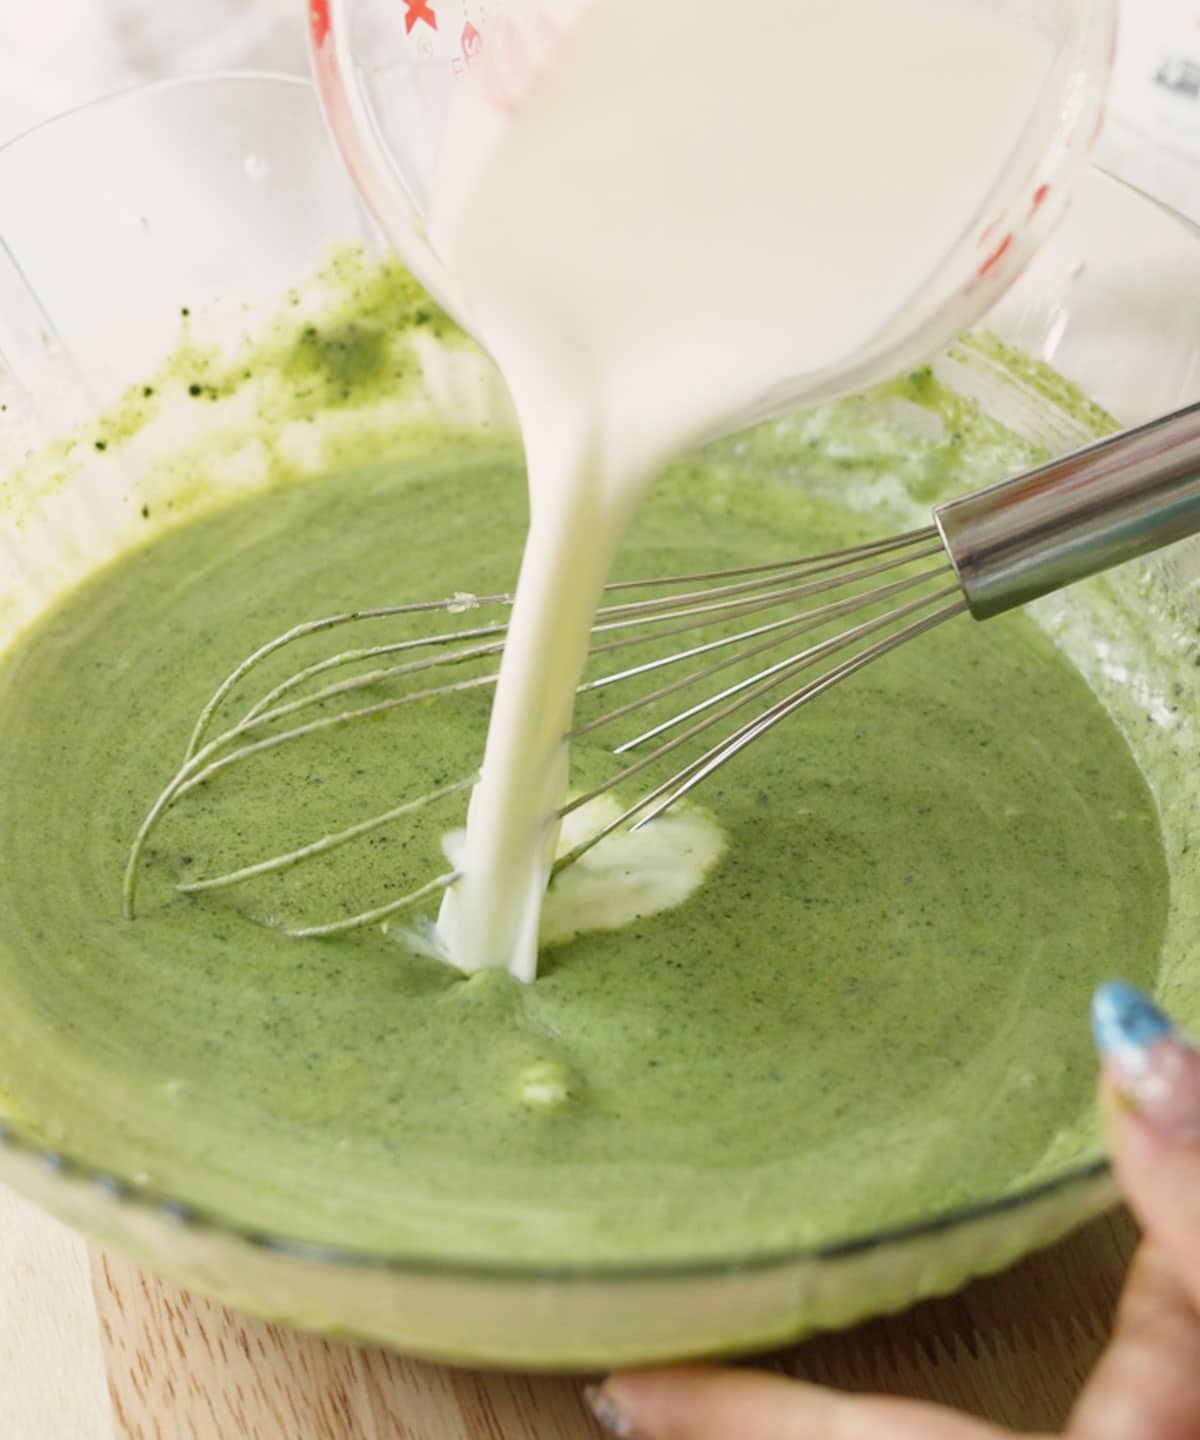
1149,1382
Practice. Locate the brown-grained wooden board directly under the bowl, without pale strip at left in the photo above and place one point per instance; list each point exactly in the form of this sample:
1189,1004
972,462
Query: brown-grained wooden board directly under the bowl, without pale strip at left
1013,1349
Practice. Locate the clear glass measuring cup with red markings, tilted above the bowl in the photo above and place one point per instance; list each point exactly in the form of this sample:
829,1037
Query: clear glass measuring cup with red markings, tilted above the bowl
390,73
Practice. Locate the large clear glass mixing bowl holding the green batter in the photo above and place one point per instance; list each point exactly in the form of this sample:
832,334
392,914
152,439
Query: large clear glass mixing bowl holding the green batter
223,192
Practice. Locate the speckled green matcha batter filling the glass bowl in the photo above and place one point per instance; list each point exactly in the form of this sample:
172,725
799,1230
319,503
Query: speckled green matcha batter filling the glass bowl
871,1012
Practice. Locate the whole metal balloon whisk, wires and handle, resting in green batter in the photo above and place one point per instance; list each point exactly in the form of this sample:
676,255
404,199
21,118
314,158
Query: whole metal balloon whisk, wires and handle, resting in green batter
985,554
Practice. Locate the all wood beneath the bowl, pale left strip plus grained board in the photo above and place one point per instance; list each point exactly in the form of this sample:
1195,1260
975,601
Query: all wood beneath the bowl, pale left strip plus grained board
93,1349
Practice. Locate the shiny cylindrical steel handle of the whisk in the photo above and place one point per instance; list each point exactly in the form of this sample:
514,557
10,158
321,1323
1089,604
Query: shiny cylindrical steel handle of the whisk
1100,506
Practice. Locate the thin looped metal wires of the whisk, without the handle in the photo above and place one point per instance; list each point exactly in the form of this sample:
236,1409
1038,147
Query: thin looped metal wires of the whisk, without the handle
669,607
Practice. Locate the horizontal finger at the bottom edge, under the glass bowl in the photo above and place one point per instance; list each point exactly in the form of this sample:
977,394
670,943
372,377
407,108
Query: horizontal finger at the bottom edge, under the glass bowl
740,1405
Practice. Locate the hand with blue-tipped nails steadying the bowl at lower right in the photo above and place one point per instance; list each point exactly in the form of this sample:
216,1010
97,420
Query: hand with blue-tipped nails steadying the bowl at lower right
1147,1385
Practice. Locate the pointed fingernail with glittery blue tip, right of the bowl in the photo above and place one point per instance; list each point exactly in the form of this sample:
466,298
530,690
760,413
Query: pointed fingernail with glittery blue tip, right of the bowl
1150,1062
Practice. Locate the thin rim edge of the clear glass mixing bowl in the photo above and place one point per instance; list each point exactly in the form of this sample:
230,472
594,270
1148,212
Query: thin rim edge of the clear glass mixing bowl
110,1187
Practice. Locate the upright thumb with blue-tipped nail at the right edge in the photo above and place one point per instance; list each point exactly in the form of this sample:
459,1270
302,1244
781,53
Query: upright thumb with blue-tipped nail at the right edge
1152,1089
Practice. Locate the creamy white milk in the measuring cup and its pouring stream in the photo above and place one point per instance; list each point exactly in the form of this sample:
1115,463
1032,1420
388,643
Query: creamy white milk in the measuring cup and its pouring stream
685,207
